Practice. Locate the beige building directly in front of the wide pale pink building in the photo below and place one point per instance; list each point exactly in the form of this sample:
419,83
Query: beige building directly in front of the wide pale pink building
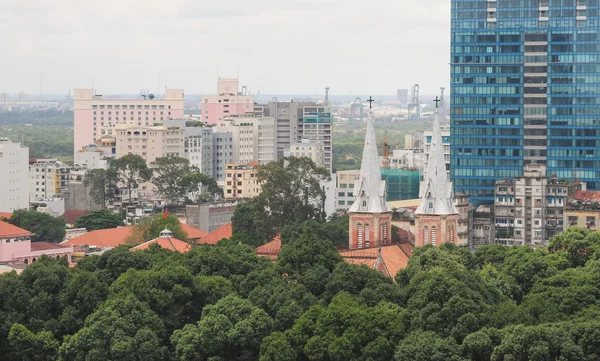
150,142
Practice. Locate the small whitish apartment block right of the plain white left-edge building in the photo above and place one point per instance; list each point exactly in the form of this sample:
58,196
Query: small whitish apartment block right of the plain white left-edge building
48,178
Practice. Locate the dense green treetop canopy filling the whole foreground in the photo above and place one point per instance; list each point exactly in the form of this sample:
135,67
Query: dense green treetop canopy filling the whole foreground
224,303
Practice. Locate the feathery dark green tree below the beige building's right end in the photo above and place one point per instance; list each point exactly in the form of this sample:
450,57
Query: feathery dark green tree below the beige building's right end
169,177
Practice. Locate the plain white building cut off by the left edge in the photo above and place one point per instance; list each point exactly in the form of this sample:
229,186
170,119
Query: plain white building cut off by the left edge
14,163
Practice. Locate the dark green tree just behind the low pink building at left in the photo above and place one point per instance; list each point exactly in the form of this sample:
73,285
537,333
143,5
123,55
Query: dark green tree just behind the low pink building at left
45,227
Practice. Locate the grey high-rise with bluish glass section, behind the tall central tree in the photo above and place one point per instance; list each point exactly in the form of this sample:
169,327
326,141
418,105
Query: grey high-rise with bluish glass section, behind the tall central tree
295,121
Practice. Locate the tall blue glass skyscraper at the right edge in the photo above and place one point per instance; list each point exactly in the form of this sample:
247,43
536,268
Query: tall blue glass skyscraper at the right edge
525,87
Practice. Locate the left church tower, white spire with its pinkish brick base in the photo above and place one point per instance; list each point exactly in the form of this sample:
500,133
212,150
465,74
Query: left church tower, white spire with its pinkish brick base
370,218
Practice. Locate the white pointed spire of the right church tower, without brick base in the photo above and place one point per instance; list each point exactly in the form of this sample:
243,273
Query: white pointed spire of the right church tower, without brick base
435,189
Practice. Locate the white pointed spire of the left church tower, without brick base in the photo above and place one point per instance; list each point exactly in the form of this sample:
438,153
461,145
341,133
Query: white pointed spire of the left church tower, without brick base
369,189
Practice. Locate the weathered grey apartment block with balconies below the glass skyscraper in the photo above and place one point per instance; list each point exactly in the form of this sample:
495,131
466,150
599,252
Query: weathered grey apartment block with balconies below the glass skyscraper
529,210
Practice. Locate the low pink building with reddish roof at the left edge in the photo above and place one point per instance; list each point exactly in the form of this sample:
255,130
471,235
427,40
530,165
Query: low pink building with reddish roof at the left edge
16,245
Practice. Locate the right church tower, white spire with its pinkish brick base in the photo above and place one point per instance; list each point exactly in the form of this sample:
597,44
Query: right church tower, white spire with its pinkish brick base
436,218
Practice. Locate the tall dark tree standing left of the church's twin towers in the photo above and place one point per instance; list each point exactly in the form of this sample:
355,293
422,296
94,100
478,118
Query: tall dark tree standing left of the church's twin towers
290,192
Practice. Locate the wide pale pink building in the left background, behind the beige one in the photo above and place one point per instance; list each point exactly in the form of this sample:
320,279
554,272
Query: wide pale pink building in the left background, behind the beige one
96,116
